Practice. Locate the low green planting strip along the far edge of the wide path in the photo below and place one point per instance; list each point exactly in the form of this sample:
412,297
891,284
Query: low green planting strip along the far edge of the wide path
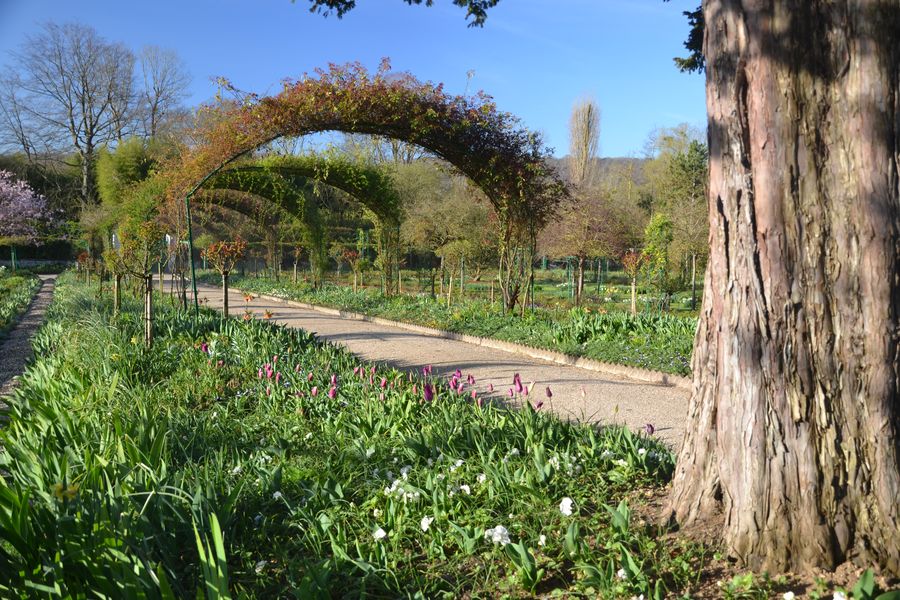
651,341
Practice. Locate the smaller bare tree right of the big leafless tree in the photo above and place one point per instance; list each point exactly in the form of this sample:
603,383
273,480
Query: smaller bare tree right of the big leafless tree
165,82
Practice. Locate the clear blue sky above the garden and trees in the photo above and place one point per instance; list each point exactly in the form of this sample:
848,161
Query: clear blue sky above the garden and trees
535,57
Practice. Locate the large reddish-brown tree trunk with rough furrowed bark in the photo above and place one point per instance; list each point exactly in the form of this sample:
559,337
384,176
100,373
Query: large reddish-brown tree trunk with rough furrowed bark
794,421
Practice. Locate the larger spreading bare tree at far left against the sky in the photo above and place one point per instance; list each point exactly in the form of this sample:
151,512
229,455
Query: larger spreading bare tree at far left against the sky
70,90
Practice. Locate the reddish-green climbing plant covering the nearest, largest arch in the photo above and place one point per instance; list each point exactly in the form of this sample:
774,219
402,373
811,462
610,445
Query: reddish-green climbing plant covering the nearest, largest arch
489,146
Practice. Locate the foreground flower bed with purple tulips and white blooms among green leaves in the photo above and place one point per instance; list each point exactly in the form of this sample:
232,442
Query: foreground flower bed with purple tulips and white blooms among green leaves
208,463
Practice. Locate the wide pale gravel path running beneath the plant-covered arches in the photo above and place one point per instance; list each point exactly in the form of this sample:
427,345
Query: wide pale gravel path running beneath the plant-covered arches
577,393
